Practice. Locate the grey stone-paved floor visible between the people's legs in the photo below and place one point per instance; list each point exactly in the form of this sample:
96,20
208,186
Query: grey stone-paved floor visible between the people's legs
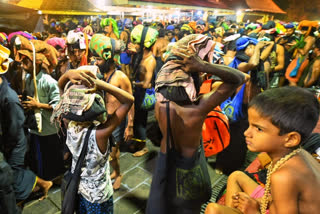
132,196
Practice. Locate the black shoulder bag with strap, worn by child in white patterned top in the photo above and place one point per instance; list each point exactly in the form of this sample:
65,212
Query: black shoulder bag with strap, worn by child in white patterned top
70,181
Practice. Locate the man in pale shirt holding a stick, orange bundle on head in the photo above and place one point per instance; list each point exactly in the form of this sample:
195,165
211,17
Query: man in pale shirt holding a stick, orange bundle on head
45,145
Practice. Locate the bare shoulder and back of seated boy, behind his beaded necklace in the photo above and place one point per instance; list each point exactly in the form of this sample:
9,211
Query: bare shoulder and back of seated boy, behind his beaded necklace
295,188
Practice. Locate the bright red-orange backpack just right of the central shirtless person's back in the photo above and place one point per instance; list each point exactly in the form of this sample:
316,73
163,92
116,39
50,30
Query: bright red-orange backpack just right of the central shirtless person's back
215,129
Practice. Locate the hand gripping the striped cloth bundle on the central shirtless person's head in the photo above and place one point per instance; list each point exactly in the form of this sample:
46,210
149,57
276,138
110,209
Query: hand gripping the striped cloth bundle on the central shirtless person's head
190,62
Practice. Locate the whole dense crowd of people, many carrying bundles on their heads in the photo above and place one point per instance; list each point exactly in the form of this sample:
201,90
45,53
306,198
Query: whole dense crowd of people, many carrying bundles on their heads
105,76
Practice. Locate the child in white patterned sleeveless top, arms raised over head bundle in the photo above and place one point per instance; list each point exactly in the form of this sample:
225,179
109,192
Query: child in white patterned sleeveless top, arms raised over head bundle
95,187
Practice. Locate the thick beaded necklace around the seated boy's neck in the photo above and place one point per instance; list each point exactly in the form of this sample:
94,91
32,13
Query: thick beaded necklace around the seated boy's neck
266,197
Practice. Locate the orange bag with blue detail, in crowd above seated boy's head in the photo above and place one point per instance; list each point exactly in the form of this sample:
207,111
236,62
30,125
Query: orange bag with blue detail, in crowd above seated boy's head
302,63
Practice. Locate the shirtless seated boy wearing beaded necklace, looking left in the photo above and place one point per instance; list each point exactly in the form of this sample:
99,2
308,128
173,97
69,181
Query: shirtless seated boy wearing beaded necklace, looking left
280,121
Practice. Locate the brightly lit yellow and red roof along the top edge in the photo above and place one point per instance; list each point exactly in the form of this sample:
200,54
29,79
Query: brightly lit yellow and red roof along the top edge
91,7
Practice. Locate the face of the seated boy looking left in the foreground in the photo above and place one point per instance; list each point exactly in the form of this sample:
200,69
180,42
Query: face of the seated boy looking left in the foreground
262,135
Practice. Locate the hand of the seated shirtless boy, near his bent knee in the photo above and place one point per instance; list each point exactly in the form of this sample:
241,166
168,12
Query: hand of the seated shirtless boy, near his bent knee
243,202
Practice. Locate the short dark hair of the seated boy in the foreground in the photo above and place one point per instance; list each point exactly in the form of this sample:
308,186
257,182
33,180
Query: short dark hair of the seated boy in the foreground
289,108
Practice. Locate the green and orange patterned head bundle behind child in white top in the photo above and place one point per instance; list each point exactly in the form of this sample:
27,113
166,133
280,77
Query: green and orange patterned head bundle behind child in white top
107,48
